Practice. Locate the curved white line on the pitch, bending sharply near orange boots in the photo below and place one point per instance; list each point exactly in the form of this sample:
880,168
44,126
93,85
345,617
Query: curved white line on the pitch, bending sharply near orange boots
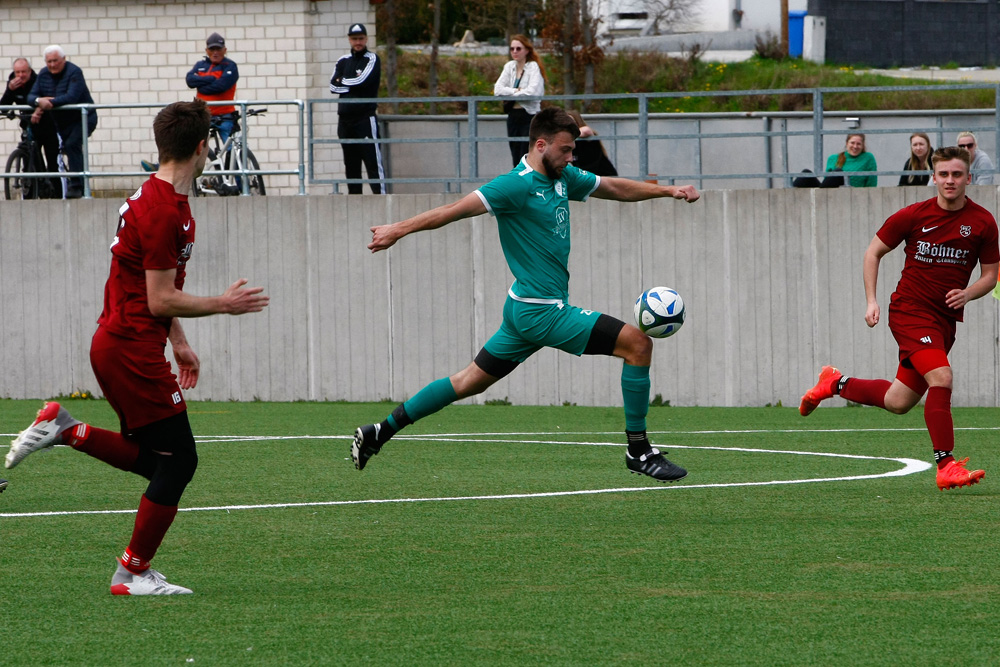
910,466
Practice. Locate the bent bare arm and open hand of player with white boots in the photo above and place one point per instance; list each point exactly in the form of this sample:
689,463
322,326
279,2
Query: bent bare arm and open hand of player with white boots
165,300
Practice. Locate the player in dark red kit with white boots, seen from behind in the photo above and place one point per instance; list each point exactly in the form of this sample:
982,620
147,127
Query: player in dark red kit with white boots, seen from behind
143,301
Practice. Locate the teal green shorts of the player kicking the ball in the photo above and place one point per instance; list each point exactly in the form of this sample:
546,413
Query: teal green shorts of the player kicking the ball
528,327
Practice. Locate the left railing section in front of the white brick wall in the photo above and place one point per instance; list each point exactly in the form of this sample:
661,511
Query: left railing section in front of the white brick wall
87,174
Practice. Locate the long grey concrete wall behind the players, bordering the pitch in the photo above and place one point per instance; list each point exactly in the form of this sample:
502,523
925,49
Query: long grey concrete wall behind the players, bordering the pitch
772,282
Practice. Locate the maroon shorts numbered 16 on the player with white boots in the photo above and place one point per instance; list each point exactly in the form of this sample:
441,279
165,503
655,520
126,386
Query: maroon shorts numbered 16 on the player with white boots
136,378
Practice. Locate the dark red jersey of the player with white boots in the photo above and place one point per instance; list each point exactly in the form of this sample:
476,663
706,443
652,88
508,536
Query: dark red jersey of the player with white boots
155,232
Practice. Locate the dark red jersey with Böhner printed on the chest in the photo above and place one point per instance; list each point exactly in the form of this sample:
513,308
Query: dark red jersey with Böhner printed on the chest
942,249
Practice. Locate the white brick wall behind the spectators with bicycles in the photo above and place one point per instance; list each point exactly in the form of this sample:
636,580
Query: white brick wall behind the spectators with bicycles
139,51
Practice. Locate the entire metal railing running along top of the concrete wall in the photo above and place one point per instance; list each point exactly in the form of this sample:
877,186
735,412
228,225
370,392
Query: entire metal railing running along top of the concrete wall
467,147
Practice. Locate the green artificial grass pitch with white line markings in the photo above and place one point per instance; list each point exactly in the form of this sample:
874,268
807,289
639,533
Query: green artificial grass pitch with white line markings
514,535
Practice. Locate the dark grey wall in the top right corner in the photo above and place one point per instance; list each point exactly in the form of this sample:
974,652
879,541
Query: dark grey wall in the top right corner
891,33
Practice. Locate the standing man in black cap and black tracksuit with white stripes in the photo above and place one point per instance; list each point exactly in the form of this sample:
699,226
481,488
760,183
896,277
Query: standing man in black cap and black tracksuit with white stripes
357,75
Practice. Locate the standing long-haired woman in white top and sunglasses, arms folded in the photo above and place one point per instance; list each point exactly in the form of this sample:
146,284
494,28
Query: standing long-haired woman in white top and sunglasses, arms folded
522,76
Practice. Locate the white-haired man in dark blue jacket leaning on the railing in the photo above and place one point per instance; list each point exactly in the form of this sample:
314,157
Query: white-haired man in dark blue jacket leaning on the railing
59,84
